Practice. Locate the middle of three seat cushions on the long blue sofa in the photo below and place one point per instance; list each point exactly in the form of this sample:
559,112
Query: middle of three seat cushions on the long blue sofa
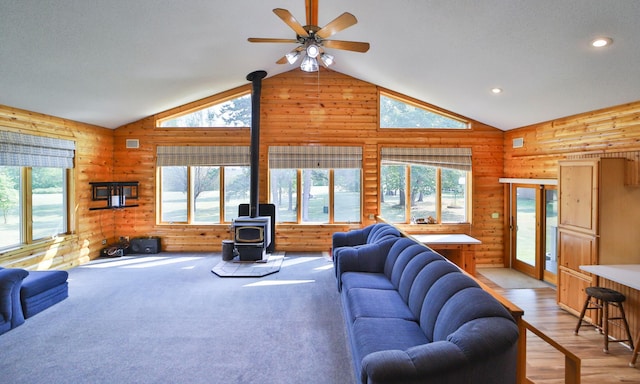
366,302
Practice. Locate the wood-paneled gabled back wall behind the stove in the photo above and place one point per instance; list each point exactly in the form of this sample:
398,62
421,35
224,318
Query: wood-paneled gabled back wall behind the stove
298,108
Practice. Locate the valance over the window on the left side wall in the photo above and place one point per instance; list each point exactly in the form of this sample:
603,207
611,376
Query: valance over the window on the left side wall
22,150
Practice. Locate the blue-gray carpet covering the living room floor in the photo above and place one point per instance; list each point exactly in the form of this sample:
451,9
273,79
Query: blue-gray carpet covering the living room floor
167,319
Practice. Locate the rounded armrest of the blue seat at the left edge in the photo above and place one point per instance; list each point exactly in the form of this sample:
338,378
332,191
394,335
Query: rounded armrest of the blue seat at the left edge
10,284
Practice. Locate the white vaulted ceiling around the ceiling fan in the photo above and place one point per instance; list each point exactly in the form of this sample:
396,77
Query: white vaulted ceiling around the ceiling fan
111,62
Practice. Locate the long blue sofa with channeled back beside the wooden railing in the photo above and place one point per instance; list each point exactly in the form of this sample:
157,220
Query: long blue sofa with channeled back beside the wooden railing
414,317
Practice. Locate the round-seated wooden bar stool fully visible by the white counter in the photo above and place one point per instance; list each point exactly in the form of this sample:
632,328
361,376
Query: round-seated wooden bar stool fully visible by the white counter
600,298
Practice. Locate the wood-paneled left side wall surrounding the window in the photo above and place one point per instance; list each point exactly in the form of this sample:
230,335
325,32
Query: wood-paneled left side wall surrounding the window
93,161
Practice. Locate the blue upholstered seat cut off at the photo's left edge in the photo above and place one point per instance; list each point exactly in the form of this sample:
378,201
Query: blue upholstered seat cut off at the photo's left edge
24,294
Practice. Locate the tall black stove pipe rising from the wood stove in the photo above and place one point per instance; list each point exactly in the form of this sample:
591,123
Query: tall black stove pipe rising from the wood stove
256,79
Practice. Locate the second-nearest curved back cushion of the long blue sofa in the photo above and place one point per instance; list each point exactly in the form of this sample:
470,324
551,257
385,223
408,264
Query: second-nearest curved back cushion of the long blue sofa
437,297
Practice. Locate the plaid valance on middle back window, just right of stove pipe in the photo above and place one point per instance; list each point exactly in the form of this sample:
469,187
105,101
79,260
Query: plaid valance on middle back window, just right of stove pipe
323,157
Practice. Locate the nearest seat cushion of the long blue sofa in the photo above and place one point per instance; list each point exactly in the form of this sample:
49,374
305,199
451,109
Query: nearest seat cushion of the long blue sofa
379,334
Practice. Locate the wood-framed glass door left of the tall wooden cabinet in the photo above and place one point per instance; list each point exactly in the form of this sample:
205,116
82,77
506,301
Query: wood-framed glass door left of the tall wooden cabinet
534,231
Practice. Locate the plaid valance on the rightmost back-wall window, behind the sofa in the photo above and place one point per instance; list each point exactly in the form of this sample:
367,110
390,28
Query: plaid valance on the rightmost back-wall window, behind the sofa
453,158
